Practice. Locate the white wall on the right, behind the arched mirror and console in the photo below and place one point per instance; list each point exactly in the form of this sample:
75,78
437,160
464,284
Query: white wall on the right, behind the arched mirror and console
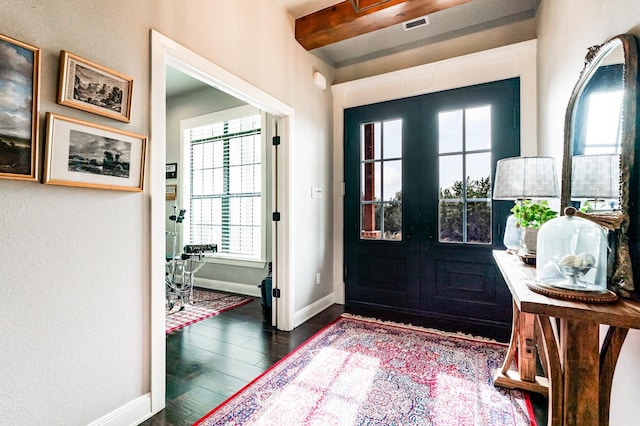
566,28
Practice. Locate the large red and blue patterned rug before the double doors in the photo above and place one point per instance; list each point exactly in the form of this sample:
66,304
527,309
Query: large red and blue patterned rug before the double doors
364,372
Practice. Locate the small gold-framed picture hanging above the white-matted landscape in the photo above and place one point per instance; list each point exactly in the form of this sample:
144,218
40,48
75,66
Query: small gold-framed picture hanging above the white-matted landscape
91,87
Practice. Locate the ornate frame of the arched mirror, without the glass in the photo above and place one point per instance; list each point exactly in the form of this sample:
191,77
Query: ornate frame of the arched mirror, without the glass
621,277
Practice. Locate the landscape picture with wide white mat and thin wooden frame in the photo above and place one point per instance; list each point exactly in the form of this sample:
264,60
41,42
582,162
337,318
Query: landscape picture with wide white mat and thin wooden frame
89,155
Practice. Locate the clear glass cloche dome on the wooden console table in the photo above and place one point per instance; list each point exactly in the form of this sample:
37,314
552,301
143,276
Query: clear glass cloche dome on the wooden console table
572,254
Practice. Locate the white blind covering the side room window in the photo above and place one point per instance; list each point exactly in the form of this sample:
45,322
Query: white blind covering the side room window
226,184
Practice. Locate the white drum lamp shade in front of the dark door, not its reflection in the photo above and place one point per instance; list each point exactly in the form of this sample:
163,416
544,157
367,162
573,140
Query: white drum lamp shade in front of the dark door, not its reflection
526,177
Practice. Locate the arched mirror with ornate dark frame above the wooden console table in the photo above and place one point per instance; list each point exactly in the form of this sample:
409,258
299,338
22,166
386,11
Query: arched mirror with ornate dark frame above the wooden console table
599,148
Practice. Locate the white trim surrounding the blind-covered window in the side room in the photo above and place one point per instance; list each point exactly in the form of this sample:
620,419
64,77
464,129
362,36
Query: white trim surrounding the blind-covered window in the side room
185,153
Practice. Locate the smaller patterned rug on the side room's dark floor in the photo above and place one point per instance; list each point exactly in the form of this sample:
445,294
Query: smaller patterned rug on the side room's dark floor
206,303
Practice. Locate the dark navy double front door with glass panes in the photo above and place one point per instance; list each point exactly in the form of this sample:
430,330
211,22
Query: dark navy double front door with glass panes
420,224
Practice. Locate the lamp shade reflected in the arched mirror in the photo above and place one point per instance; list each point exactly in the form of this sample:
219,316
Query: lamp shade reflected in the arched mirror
595,176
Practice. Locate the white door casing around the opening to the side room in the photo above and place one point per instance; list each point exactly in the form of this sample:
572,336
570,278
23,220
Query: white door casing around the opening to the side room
169,55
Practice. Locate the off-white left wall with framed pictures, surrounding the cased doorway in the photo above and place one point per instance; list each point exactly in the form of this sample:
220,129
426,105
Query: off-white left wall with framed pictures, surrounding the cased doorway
75,262
